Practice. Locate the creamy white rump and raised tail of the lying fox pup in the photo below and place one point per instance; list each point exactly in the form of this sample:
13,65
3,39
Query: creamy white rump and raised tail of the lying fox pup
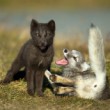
86,88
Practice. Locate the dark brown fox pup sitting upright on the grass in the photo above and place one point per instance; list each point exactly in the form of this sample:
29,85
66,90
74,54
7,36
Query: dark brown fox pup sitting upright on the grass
36,56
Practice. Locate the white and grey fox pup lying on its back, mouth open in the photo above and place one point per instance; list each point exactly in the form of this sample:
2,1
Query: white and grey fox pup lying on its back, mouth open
79,78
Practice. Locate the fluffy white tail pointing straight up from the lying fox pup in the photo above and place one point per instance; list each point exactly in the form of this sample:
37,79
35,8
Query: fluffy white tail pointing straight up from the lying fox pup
96,52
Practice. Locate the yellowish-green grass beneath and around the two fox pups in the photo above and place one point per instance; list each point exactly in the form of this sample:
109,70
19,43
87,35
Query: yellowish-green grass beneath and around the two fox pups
14,95
